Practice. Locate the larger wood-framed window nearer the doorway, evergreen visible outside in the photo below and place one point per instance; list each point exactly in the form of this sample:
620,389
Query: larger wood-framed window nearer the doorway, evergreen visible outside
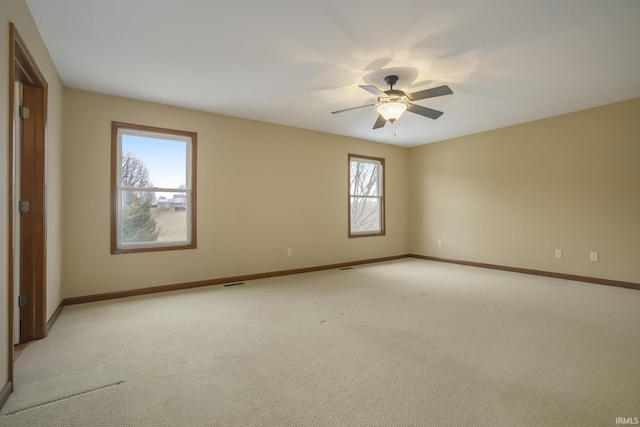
153,189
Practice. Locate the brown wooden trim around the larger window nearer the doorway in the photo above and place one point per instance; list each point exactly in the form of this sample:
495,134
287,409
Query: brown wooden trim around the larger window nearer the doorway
115,126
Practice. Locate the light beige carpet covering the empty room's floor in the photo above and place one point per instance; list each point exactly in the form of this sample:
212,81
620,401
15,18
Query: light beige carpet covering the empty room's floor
403,343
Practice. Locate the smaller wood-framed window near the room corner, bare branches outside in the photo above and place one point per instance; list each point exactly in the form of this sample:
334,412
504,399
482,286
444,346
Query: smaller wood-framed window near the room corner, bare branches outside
366,196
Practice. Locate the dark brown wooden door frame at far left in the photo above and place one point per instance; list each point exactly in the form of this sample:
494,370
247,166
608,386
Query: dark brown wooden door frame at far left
23,68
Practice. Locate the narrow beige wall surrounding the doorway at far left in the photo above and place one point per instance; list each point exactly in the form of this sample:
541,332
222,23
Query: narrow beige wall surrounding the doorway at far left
16,11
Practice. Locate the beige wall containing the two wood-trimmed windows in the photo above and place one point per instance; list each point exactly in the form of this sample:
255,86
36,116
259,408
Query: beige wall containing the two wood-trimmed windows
262,188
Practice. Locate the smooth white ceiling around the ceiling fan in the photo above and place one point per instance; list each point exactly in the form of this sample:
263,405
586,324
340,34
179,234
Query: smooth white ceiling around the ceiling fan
292,62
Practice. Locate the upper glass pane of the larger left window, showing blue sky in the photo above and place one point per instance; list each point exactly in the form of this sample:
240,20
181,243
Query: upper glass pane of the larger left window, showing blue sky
153,162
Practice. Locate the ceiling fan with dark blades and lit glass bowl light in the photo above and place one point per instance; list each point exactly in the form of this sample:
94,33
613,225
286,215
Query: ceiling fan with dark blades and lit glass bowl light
392,103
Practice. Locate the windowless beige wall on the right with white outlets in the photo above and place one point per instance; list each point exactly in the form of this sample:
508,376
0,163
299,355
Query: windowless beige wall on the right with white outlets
512,196
